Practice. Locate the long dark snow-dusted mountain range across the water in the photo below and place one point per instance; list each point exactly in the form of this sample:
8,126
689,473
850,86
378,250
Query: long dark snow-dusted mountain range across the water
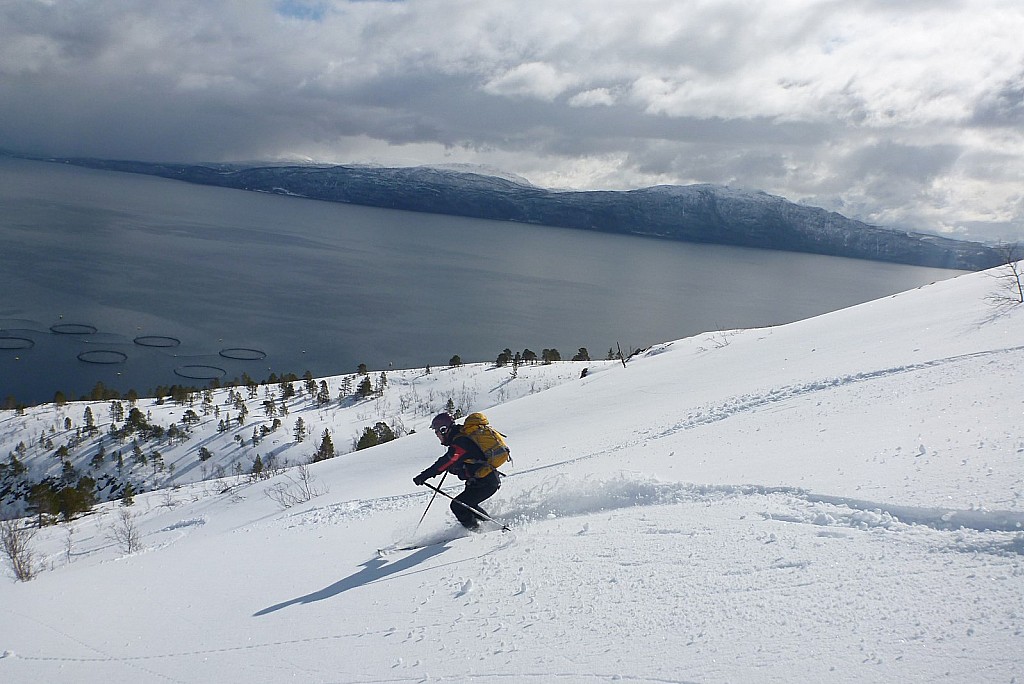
701,213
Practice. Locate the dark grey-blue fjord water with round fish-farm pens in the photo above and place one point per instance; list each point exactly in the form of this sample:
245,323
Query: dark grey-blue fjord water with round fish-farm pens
140,282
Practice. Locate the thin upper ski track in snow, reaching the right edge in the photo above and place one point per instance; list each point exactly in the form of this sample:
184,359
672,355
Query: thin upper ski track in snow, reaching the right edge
750,403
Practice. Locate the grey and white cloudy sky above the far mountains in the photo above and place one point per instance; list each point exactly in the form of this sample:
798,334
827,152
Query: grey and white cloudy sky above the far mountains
902,113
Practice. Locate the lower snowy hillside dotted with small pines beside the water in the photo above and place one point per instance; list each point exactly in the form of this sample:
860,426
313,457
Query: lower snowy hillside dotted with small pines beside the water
199,437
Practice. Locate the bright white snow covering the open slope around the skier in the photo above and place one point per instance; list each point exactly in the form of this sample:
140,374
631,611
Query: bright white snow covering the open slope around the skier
840,499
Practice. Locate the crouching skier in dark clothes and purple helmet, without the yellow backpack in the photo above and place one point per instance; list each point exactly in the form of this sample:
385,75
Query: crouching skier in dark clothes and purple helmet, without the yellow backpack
460,450
